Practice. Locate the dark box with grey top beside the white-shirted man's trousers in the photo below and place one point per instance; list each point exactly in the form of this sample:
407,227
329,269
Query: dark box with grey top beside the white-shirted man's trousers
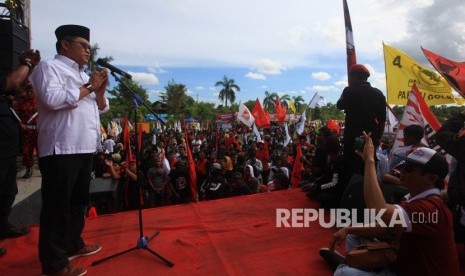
104,195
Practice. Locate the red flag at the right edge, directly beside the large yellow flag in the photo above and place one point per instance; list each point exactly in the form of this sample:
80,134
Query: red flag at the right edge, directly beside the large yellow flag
452,71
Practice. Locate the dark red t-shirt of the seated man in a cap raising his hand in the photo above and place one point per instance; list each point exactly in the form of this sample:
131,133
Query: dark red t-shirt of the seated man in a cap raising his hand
429,249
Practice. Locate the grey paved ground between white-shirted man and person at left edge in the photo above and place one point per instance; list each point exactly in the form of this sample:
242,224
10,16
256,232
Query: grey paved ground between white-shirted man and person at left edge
26,209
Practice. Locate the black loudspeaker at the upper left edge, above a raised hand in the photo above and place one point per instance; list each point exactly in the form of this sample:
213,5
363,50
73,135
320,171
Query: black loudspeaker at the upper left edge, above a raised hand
14,39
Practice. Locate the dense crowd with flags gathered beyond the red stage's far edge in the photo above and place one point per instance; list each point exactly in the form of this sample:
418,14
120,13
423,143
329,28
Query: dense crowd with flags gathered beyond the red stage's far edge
227,163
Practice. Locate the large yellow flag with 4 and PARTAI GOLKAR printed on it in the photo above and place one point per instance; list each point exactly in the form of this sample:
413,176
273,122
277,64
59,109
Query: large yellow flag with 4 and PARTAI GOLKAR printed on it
402,72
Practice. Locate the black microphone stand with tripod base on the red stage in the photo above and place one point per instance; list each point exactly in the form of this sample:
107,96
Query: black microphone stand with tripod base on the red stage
142,240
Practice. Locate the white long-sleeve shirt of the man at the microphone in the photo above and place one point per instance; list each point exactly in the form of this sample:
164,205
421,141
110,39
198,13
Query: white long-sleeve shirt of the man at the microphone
66,124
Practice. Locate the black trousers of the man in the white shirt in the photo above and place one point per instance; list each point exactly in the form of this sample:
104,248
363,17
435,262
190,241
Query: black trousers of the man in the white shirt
65,194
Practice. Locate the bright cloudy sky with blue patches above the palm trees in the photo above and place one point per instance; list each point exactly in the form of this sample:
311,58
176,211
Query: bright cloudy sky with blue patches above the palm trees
294,47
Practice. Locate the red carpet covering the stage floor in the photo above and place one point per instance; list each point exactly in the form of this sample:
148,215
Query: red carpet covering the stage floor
235,236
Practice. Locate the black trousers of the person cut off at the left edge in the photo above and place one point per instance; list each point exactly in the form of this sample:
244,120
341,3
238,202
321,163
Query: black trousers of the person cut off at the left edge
8,189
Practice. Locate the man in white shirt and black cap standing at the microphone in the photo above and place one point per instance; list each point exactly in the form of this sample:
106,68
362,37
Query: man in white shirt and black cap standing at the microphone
70,103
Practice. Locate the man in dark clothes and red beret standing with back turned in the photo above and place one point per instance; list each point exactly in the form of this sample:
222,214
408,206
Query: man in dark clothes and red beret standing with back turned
365,109
